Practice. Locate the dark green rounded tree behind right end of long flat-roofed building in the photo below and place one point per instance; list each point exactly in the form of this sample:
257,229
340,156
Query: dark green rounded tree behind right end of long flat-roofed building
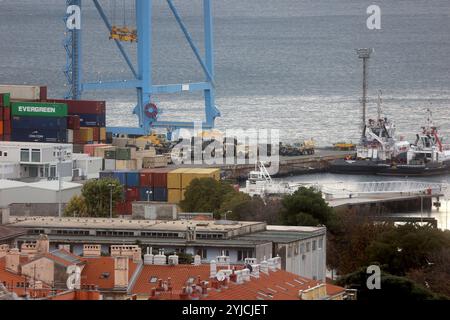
306,207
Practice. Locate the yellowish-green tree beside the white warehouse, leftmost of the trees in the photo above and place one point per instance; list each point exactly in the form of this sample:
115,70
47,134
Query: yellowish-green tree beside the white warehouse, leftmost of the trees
95,199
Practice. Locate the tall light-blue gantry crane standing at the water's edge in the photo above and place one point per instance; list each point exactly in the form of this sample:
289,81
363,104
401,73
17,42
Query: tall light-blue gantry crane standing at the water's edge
147,112
